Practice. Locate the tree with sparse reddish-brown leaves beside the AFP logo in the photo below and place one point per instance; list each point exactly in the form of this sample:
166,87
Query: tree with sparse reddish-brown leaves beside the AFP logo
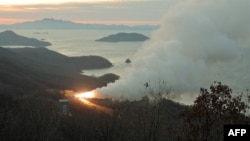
211,110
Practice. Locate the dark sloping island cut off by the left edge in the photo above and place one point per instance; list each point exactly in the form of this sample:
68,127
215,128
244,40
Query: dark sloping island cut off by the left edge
10,38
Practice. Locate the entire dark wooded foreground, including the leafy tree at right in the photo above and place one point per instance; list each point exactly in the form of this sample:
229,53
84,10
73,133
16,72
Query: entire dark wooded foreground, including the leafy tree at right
34,116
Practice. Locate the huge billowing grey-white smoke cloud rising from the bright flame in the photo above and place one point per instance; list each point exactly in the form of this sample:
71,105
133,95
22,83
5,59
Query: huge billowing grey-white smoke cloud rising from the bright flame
194,35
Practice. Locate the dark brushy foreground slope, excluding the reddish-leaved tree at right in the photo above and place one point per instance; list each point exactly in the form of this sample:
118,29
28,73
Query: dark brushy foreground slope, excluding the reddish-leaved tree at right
35,117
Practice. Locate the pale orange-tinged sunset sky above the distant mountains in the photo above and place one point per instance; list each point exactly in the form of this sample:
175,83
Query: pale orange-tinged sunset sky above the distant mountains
131,12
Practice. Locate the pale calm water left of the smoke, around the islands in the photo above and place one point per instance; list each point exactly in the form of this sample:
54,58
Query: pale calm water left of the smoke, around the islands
82,43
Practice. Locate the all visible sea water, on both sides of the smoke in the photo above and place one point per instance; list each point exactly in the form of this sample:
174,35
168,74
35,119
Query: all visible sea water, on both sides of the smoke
82,42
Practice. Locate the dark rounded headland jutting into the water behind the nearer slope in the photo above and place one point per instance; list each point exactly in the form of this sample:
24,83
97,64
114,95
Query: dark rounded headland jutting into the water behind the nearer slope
43,58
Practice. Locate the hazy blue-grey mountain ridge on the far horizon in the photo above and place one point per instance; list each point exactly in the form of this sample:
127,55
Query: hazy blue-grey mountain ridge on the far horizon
50,23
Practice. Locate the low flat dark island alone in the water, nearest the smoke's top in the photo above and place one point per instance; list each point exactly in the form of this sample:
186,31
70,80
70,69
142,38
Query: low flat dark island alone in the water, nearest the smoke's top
124,37
